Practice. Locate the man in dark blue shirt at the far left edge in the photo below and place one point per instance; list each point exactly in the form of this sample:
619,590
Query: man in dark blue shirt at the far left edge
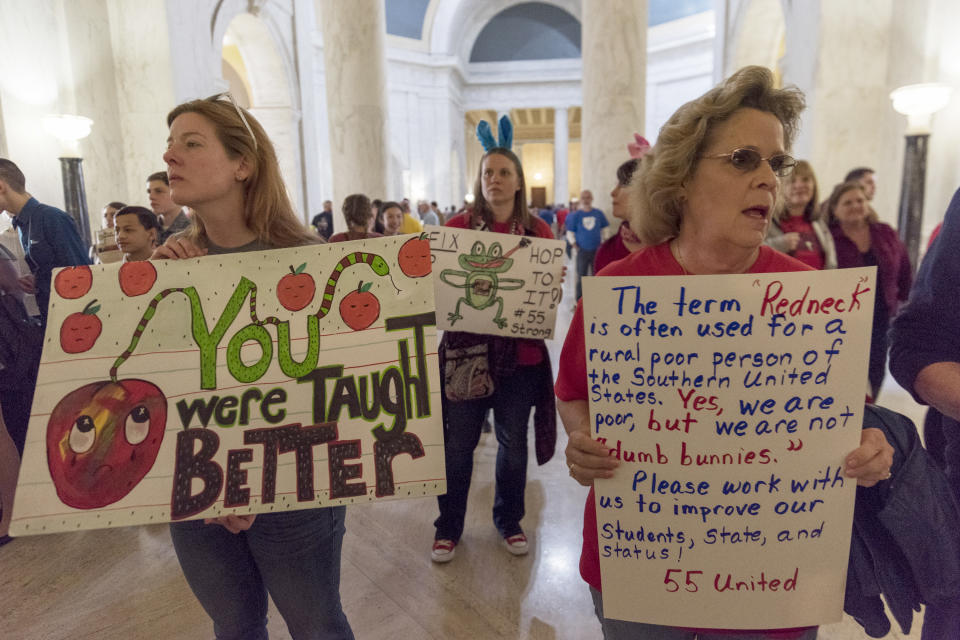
48,235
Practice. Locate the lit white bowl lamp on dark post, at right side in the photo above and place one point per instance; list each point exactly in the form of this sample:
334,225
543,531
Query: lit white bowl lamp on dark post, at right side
918,102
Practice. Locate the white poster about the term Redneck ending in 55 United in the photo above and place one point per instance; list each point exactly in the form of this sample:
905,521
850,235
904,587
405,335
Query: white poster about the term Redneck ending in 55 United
731,402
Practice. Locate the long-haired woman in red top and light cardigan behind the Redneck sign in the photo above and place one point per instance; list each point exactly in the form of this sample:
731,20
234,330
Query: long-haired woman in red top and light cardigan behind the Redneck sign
798,228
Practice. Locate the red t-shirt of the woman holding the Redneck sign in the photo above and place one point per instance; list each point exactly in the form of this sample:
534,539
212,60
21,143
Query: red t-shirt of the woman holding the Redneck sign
572,374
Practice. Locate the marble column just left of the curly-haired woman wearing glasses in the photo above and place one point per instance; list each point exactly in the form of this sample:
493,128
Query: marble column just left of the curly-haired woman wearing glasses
614,46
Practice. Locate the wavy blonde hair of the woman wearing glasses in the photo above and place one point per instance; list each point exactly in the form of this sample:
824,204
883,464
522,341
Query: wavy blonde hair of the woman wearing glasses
658,194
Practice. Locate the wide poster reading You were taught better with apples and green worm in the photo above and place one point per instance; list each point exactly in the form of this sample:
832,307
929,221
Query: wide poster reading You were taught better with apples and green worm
239,383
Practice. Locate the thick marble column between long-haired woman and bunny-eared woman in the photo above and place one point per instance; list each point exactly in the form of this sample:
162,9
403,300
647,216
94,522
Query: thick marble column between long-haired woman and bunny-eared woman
356,97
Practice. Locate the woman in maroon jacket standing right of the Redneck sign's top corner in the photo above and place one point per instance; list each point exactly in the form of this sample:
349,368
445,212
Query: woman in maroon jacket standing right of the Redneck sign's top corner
862,240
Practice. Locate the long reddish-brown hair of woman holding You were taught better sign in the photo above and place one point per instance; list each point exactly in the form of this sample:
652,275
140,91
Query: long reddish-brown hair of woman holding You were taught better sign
267,210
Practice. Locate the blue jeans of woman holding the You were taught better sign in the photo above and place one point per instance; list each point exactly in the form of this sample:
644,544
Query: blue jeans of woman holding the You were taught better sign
293,555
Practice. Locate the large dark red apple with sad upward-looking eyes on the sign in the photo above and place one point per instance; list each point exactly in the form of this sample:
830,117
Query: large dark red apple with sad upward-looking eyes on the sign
102,439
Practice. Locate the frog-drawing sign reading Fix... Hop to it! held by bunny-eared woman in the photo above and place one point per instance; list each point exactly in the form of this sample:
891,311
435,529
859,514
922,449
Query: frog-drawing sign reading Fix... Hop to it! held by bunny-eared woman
496,284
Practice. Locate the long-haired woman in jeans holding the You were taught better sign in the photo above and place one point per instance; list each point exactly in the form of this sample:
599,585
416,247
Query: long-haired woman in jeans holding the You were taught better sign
221,163
